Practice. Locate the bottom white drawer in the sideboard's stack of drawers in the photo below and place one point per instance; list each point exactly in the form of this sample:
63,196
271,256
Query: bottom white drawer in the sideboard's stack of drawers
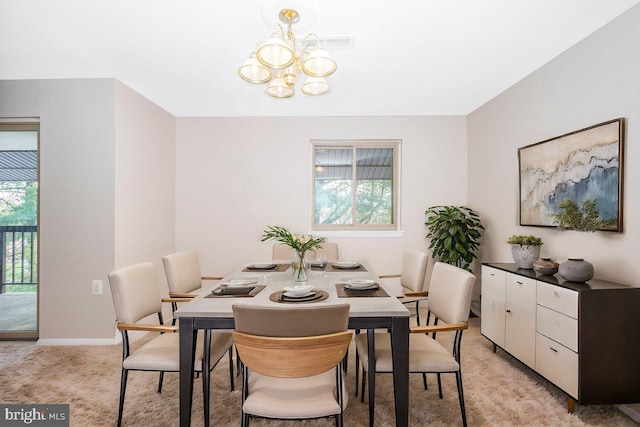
558,364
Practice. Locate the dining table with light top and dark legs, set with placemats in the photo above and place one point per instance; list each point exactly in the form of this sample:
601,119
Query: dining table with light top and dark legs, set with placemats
368,311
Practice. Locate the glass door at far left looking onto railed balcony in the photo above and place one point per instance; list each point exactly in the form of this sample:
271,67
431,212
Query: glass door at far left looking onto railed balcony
19,230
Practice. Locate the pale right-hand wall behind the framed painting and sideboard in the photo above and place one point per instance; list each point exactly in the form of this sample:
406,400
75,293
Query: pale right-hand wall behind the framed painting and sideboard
595,81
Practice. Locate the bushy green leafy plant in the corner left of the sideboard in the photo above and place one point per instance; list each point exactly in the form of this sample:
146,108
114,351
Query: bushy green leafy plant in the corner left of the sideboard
454,232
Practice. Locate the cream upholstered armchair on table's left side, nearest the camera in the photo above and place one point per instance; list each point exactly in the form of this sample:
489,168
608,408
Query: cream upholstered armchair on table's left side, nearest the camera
136,297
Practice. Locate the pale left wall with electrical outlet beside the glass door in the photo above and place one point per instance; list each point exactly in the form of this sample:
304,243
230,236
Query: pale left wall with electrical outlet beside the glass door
76,199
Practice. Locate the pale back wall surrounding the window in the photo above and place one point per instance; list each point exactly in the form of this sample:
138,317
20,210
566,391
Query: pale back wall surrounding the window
235,176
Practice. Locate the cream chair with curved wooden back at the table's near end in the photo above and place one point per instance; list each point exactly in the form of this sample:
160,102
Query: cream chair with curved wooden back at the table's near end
292,362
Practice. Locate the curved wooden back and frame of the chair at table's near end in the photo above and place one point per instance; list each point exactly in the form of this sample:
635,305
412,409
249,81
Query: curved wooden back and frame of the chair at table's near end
292,357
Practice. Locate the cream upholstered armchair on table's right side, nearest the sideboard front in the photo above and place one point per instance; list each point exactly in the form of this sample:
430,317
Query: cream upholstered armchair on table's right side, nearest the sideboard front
449,301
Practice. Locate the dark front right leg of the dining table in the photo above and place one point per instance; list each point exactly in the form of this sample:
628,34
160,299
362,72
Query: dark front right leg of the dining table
400,347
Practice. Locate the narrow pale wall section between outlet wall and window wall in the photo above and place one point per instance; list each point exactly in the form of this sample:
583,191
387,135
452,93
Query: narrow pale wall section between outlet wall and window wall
145,178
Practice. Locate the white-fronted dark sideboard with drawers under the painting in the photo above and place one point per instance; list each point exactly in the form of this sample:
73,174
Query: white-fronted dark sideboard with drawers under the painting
582,337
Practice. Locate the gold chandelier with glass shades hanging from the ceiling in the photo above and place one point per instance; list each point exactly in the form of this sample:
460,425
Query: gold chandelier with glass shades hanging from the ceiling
279,60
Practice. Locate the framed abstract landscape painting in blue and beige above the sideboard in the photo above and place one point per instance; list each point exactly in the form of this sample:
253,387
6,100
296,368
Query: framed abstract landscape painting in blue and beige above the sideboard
583,165
